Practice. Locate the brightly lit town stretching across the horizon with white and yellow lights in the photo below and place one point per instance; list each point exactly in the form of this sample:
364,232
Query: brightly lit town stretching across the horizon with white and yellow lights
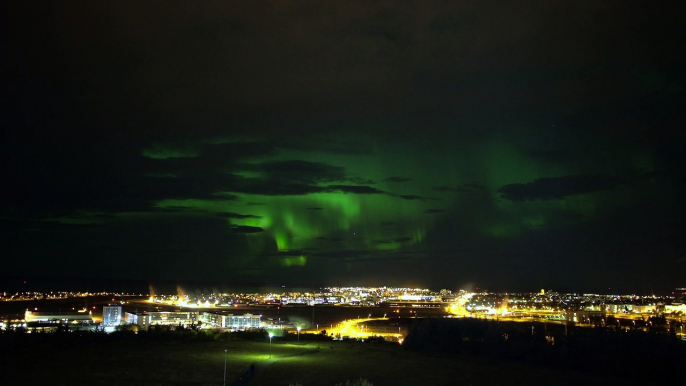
337,312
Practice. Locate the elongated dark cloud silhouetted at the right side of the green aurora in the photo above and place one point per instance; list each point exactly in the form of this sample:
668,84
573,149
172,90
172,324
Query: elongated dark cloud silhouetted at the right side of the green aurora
556,188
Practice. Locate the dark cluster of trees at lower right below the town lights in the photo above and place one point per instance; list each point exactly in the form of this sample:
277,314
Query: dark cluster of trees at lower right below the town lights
610,350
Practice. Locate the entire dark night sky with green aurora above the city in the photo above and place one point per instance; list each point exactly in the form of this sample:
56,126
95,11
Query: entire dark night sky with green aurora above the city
511,145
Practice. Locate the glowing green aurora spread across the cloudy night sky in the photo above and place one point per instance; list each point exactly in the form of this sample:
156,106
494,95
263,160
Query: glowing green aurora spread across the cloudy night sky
404,210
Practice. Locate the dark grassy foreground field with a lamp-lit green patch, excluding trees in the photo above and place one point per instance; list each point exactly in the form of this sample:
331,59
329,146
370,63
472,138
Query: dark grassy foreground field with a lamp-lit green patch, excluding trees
68,359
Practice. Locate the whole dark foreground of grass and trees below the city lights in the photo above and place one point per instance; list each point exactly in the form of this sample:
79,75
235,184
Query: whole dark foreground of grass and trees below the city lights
189,358
